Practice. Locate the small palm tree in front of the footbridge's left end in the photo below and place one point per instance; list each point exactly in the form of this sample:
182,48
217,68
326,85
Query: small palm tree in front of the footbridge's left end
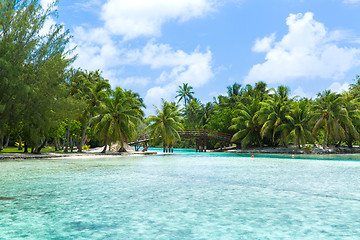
166,124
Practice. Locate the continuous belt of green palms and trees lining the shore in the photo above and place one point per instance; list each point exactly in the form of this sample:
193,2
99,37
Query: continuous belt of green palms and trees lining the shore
45,102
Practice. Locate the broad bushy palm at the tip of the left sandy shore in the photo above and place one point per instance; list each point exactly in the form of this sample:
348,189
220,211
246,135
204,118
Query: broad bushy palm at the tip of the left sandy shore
118,118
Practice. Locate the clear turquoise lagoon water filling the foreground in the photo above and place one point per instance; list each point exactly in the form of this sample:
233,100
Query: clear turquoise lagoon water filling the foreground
181,196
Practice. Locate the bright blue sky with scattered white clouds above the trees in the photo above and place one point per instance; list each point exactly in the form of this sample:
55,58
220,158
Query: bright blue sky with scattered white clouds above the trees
154,46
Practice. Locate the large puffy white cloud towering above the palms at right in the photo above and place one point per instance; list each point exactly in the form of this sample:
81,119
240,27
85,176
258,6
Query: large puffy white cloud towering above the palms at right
309,50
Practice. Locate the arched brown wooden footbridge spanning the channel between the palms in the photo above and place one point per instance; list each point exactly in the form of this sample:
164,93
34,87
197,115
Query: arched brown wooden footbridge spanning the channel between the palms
201,136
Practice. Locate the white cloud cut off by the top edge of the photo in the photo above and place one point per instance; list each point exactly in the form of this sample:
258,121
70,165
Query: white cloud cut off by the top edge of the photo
145,17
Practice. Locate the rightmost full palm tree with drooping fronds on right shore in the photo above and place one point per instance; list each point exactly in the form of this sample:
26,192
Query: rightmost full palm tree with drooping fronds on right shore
331,115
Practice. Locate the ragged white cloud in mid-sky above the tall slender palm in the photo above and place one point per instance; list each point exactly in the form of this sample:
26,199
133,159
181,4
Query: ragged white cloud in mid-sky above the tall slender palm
194,68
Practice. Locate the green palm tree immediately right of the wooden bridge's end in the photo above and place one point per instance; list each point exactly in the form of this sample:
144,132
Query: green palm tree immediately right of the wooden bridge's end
247,124
